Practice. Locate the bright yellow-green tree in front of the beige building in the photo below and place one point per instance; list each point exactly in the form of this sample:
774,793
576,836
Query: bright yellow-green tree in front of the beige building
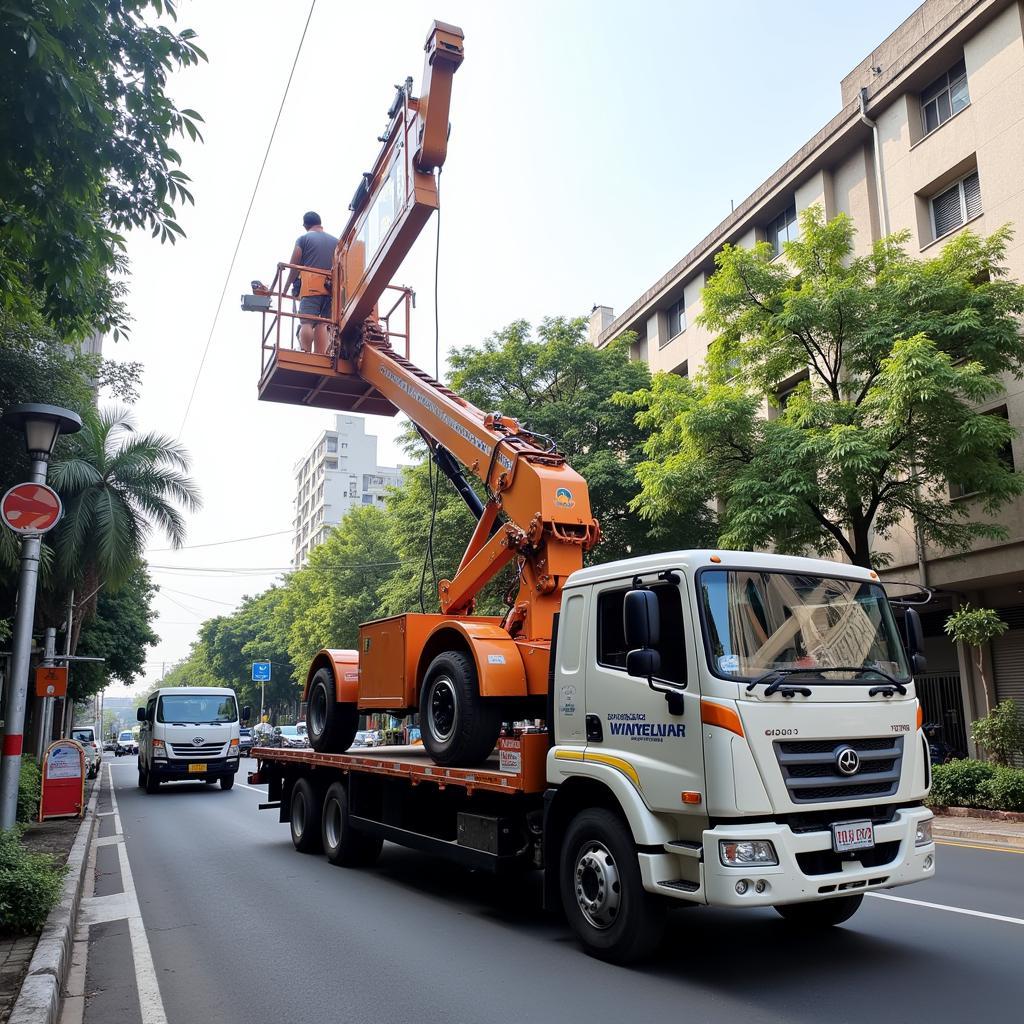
898,356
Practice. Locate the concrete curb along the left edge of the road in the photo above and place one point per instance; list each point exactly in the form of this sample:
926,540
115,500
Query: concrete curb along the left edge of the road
39,1001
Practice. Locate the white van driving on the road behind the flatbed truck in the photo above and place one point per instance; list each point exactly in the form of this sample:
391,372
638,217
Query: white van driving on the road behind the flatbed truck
189,733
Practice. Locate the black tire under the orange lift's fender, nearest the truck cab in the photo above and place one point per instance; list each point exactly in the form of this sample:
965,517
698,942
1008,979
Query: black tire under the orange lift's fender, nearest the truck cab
451,679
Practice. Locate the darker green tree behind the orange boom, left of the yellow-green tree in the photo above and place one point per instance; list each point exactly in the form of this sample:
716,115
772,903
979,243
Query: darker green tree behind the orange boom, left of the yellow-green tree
559,385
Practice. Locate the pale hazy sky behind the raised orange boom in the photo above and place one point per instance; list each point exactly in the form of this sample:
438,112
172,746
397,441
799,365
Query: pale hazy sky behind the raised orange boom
592,146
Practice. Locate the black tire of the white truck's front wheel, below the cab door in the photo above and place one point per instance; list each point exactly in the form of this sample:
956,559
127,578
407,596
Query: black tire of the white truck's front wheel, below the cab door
635,929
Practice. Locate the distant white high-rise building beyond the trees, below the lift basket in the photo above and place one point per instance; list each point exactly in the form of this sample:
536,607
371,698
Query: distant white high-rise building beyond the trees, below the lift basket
337,474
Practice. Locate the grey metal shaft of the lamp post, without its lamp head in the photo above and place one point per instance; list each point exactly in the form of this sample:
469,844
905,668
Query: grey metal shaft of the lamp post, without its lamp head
11,765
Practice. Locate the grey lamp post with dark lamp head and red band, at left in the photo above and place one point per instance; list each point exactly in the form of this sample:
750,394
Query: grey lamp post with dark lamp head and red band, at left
42,425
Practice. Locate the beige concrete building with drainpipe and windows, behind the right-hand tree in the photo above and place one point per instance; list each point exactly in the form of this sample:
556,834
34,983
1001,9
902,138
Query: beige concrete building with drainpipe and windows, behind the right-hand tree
930,139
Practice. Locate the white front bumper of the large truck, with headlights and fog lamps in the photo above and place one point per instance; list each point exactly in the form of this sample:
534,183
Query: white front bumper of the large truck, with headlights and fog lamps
895,862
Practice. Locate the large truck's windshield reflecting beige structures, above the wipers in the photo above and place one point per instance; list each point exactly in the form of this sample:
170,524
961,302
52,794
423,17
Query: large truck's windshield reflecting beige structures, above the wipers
759,622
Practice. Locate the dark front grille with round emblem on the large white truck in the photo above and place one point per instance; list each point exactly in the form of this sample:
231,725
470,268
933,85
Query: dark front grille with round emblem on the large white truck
812,775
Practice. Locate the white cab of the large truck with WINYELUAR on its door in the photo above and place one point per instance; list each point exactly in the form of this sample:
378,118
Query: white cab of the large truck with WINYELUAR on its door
761,736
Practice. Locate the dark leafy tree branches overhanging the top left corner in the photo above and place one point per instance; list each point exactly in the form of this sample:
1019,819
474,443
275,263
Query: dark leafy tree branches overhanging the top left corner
87,151
